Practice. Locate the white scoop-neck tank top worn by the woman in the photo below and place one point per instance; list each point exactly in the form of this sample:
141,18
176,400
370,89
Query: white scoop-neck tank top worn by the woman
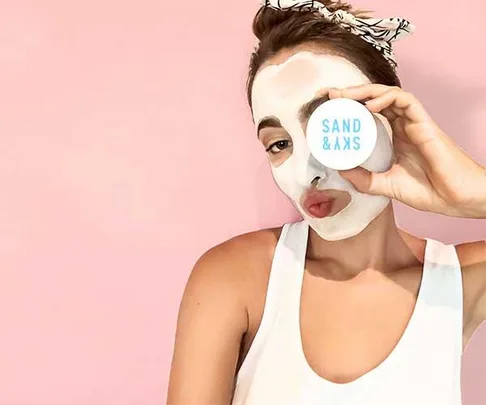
423,369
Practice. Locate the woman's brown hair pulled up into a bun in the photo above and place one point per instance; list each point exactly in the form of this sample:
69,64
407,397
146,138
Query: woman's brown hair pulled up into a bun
278,30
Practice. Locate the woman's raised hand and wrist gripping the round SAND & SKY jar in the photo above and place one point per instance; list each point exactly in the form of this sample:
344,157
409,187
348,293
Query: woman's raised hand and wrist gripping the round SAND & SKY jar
431,173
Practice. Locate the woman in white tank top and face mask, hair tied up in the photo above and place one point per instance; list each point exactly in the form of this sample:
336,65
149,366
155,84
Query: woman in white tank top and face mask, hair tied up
343,307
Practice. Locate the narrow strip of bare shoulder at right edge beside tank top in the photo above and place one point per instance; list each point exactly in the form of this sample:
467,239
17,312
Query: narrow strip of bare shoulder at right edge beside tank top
472,257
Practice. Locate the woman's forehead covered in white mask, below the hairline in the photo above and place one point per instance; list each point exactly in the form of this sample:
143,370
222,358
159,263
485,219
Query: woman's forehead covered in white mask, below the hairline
280,90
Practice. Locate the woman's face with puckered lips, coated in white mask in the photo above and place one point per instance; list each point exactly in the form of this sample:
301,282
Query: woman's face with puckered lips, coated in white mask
285,93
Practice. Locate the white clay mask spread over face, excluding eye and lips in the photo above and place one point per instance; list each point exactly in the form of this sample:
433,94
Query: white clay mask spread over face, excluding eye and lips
279,91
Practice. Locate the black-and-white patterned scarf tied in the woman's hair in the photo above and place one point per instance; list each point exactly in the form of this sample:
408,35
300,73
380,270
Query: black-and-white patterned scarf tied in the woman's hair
379,32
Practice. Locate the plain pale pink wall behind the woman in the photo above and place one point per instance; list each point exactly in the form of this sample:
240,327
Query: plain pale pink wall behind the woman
111,189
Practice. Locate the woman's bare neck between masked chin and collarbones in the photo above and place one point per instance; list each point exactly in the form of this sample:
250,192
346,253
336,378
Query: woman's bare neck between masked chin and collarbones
380,246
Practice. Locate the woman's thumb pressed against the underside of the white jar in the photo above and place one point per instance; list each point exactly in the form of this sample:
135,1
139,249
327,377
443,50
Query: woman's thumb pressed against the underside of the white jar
368,182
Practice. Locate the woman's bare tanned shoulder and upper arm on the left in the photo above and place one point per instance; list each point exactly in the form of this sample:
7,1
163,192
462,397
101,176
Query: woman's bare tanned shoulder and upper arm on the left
214,316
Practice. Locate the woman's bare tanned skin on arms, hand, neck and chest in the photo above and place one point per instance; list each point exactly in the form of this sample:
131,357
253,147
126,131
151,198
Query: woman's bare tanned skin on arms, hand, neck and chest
224,298
